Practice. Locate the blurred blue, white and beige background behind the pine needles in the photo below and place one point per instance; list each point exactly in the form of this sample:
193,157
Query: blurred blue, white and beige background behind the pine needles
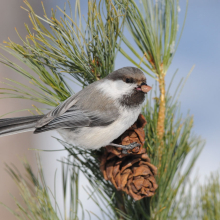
199,45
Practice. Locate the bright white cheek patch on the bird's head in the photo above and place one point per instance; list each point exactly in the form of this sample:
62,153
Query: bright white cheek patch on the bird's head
116,89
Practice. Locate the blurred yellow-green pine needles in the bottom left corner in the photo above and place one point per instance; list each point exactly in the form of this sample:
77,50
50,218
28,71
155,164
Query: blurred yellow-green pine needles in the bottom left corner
35,195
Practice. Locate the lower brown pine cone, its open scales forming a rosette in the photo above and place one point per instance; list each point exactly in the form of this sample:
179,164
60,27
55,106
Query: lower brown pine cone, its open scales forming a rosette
133,174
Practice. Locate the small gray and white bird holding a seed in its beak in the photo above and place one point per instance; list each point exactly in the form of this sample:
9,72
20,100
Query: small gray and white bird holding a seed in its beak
93,117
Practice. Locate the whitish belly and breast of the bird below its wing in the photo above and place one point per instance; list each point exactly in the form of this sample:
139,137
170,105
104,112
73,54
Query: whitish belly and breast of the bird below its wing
96,137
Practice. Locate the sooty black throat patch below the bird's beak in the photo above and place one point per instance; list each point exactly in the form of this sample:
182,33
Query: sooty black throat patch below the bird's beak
133,100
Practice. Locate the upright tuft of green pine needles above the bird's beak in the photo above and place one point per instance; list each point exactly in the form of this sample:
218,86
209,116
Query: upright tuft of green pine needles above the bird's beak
153,26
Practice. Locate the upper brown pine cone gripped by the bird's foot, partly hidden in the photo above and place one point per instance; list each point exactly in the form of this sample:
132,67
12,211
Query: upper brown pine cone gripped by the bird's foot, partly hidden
134,134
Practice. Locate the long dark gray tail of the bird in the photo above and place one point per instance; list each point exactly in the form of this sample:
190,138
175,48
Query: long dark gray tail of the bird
10,126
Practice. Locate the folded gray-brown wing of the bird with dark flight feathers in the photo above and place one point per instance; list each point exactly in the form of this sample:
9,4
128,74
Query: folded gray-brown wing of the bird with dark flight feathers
88,108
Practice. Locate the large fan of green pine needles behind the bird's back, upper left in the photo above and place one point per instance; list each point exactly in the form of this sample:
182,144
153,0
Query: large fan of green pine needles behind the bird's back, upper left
86,55
